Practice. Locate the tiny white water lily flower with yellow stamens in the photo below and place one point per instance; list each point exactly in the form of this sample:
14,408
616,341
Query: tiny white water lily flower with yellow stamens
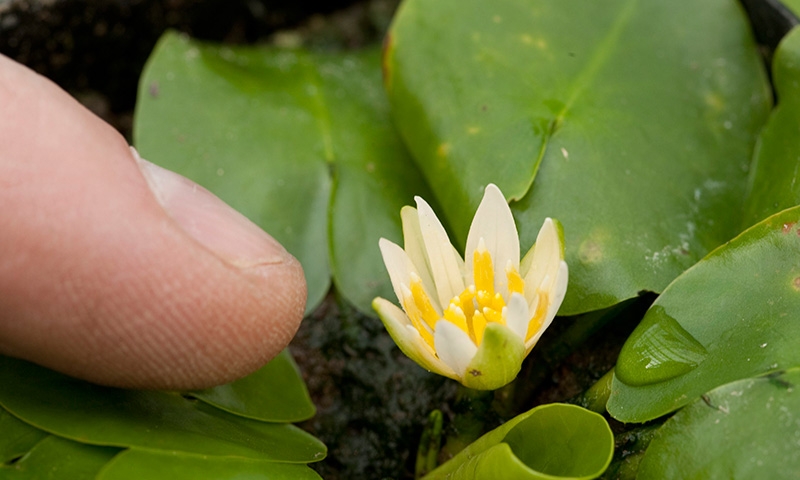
473,319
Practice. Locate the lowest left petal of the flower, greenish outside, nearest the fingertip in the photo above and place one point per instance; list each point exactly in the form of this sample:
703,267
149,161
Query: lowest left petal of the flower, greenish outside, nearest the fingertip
408,338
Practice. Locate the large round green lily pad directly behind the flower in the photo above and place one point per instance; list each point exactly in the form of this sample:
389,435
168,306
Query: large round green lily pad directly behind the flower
633,122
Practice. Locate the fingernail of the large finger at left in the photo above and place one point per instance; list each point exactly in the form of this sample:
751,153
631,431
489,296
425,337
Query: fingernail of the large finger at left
210,221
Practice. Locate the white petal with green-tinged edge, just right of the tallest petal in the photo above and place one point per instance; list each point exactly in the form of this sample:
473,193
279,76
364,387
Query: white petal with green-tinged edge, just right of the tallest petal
546,260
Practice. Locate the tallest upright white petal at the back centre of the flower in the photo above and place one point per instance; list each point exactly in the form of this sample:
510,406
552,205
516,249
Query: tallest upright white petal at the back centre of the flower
494,223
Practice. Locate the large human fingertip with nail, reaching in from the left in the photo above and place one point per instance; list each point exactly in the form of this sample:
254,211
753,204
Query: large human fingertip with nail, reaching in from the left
121,273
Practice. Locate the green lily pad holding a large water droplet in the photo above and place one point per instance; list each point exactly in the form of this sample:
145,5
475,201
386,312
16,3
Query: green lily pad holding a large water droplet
732,316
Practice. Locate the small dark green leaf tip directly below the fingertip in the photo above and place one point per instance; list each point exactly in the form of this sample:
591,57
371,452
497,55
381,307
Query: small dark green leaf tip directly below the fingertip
275,393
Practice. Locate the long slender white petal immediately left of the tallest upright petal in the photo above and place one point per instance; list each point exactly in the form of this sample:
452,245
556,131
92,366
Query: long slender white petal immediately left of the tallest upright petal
442,257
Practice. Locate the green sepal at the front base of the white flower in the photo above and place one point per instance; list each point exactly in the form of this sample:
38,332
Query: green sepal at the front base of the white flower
498,360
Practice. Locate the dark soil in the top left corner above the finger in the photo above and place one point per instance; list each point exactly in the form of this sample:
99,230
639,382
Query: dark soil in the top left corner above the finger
96,49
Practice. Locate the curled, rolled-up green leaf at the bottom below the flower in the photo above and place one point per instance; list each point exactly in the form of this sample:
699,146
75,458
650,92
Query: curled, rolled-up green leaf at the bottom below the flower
554,441
